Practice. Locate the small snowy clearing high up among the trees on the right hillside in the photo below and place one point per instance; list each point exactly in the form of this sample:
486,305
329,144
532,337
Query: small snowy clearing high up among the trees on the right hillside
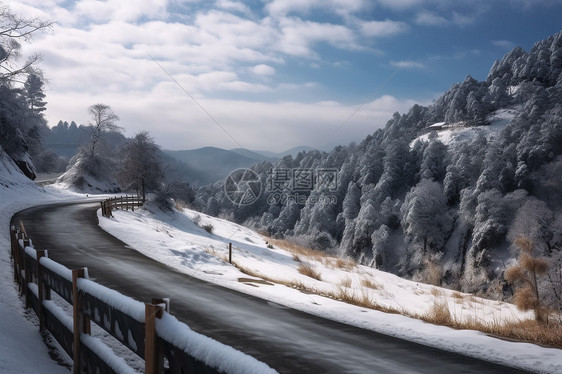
454,135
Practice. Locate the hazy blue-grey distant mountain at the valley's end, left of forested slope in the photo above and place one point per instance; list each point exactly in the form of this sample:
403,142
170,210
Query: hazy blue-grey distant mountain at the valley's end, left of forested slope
211,164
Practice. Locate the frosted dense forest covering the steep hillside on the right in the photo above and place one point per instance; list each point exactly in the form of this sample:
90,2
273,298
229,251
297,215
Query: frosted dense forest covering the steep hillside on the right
426,208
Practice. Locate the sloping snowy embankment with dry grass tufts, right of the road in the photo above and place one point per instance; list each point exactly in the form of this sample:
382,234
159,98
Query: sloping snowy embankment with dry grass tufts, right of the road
179,242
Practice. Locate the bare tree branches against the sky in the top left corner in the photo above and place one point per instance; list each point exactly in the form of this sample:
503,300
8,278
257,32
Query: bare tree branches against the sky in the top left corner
14,30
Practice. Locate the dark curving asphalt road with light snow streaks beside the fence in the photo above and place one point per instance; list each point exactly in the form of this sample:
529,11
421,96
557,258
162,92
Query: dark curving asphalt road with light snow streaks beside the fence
287,340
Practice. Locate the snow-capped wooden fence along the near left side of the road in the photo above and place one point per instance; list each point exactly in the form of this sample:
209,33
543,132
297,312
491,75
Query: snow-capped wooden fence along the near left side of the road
148,329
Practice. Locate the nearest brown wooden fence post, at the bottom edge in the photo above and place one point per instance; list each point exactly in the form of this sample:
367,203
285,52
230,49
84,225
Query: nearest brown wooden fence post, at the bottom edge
153,360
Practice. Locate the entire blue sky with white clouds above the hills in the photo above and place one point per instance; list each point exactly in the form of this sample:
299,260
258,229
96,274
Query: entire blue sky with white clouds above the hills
270,74
